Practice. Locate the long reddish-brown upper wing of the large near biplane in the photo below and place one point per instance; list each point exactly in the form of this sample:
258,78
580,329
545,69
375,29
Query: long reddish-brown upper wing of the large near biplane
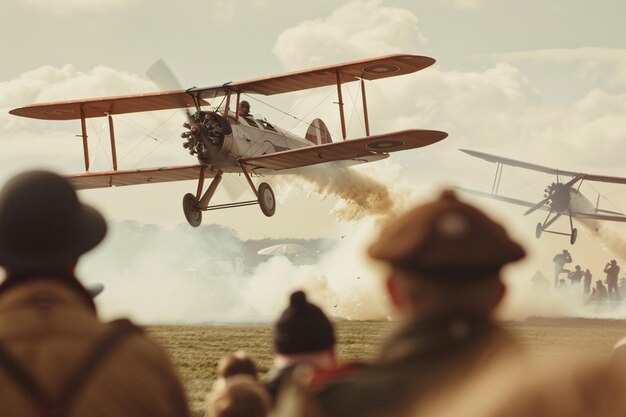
369,69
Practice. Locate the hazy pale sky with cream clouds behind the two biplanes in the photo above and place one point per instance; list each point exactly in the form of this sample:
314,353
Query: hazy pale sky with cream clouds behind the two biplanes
537,81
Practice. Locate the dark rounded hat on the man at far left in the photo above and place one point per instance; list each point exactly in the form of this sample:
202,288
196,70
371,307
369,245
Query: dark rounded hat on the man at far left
42,223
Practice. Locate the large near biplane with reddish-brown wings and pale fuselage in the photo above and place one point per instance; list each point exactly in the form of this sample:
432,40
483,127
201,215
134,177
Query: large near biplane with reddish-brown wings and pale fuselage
225,141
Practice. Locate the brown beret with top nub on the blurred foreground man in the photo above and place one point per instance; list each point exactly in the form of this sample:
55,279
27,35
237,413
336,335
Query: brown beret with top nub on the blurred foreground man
446,238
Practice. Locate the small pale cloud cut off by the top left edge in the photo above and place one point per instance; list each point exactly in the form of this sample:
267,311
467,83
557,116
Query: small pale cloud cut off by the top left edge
70,7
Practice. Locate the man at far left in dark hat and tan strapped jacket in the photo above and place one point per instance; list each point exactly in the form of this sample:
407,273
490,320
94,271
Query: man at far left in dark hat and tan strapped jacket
56,357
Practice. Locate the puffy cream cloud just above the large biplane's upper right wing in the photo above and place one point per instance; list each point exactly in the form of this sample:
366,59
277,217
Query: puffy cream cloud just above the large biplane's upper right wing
355,30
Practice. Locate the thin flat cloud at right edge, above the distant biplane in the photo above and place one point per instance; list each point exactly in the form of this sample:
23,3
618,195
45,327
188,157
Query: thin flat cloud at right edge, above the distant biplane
591,64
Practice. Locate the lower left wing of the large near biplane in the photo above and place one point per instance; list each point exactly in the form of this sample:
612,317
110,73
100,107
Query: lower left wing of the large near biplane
135,177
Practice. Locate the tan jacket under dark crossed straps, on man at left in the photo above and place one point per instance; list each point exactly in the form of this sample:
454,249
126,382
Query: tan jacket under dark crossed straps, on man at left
49,329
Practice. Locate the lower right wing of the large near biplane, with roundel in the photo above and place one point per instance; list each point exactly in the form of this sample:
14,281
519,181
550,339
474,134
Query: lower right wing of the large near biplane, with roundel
347,150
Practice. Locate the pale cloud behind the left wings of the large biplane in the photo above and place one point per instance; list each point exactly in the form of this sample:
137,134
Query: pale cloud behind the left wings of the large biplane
27,142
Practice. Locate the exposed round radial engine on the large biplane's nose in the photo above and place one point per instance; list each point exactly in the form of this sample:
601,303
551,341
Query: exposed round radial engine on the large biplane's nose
205,135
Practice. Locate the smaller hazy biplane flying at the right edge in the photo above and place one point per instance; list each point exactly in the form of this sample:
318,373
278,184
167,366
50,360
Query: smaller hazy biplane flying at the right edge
562,197
